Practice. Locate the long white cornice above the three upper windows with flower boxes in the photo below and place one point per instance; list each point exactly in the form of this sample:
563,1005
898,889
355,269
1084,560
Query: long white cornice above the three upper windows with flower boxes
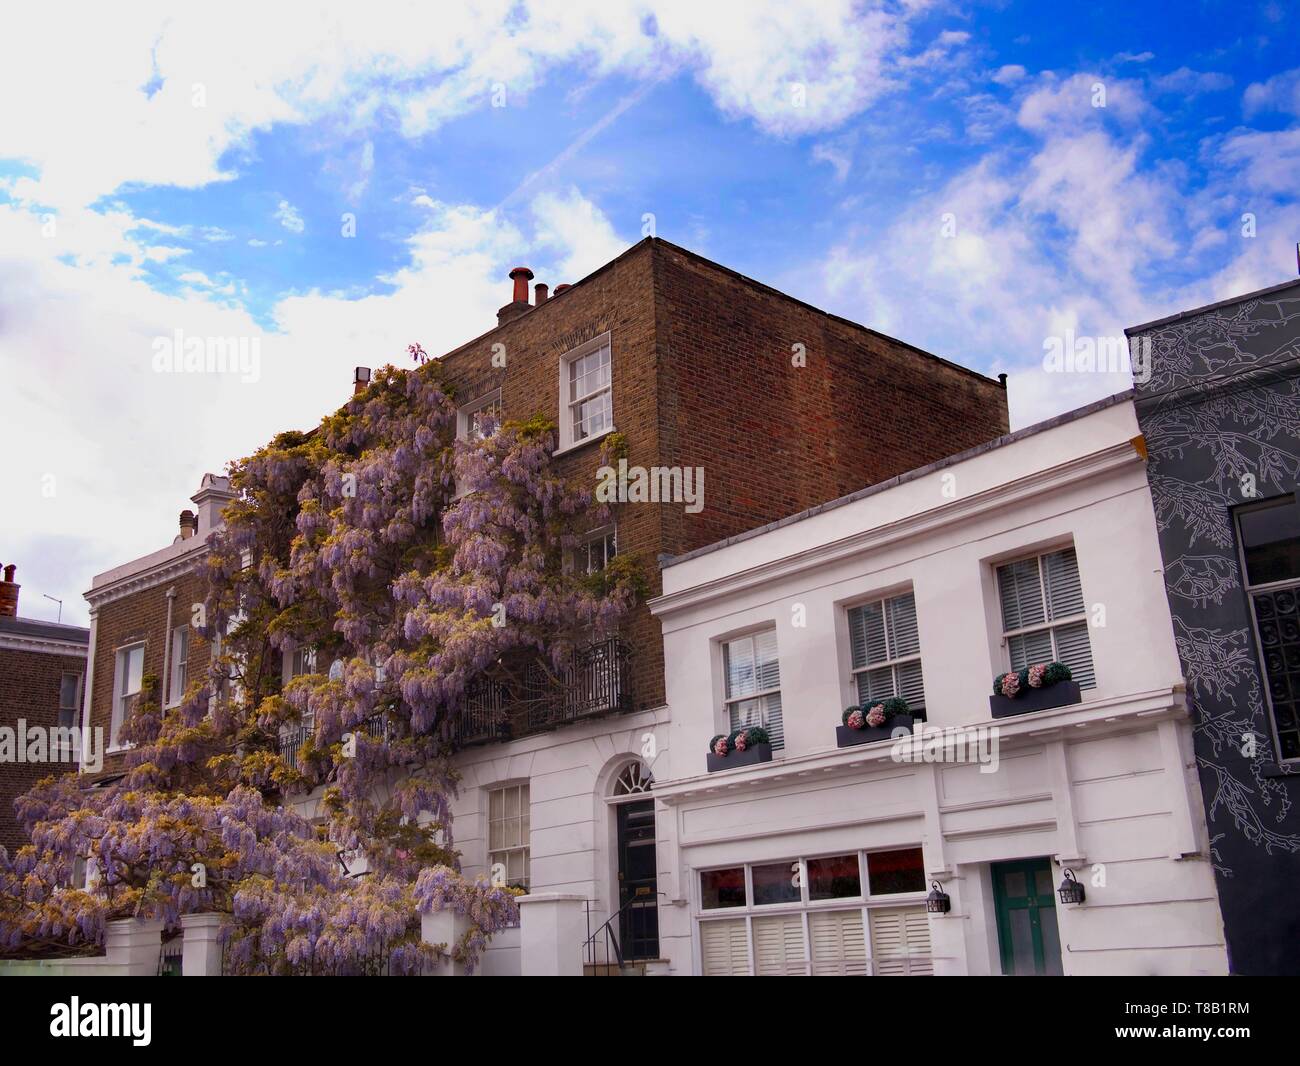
1034,486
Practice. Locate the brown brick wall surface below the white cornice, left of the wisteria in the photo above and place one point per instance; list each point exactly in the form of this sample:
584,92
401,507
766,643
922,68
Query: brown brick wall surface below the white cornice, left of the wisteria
142,617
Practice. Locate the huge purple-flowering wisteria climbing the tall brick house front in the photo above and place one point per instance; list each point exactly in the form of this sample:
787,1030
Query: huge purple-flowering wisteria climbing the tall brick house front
414,567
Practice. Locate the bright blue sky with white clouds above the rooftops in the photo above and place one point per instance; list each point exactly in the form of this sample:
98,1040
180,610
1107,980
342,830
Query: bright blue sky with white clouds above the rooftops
333,183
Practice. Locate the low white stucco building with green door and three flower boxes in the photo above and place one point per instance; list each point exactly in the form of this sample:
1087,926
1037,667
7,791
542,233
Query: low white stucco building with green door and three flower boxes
1039,547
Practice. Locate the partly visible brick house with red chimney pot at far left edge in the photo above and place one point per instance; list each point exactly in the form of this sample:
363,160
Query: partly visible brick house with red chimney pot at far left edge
42,671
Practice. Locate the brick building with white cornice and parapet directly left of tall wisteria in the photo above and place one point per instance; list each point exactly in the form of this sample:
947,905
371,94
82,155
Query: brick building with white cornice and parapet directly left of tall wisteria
140,621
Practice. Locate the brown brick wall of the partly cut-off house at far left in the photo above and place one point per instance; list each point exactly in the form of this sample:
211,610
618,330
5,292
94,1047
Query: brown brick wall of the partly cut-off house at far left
29,690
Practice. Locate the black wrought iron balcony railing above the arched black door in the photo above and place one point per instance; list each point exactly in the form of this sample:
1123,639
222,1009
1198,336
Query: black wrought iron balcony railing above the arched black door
595,682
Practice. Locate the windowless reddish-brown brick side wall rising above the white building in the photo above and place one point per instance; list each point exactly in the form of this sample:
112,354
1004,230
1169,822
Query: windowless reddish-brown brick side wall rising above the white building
775,439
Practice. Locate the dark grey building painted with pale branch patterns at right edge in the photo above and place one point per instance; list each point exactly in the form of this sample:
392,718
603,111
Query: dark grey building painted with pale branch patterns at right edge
1221,418
